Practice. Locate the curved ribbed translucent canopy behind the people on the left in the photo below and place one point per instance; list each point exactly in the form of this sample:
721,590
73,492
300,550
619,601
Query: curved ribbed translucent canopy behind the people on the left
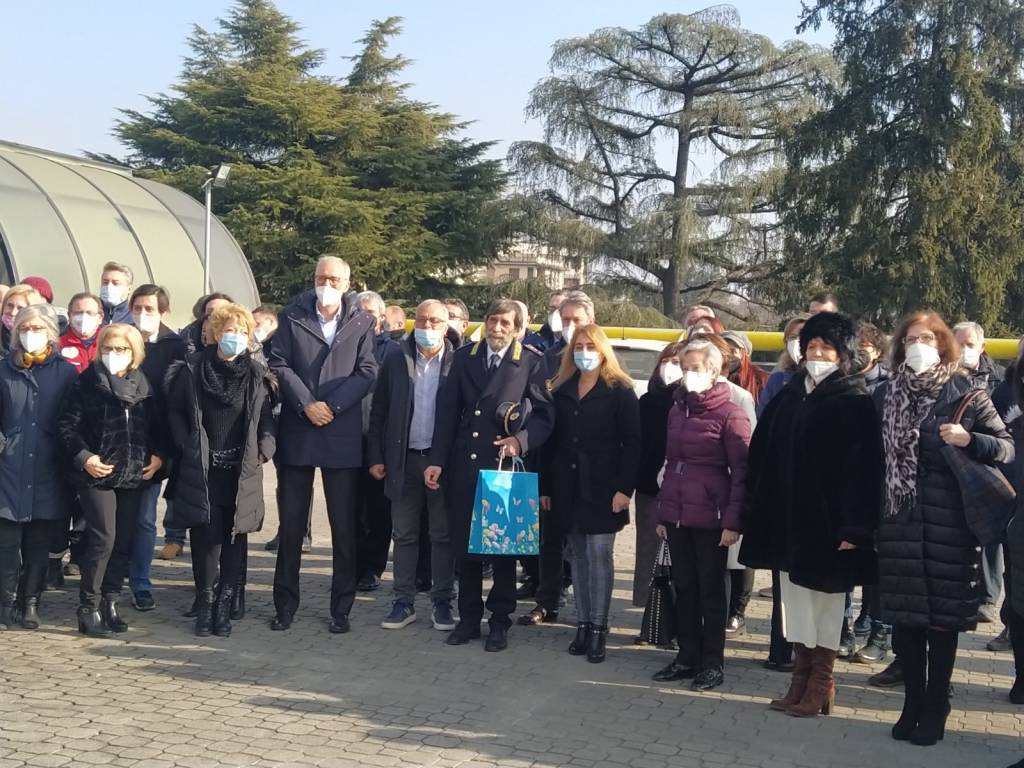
64,218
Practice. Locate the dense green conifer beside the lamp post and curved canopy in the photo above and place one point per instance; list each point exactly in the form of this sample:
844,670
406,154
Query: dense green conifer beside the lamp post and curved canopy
353,167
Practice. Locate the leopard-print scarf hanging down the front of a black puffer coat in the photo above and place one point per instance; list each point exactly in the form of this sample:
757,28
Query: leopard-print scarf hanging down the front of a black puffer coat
909,401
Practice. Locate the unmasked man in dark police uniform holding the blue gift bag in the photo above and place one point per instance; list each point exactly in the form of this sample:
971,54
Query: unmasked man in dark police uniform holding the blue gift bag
467,439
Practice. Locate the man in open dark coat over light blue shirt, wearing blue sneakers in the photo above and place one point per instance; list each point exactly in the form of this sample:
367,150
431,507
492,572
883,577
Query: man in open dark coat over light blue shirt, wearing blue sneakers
402,429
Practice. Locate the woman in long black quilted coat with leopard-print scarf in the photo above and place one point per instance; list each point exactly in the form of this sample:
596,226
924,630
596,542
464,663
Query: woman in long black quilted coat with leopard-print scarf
929,562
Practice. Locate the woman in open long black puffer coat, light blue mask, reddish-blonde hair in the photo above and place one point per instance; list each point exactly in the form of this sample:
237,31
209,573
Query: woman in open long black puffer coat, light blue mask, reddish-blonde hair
222,416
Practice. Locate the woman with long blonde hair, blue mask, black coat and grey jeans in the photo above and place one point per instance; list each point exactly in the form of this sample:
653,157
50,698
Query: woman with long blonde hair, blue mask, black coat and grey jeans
590,473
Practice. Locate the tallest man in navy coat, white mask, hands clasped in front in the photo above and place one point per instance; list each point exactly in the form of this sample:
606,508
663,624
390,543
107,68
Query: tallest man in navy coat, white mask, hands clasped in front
324,358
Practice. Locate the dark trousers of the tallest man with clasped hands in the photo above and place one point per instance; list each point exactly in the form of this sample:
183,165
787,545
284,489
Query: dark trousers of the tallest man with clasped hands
295,485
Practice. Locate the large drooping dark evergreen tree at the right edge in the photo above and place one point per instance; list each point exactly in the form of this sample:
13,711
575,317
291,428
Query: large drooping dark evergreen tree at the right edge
906,192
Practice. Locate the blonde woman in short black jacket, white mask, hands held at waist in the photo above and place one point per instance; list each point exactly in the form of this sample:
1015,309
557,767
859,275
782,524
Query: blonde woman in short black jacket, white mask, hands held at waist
108,433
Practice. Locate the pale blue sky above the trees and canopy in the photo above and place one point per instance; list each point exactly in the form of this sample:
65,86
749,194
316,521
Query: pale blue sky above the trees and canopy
69,66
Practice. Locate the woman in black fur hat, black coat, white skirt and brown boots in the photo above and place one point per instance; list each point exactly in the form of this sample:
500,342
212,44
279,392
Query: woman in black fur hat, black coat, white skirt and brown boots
815,482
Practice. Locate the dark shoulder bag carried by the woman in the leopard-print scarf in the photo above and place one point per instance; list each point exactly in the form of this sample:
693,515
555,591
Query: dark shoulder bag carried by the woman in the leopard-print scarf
990,498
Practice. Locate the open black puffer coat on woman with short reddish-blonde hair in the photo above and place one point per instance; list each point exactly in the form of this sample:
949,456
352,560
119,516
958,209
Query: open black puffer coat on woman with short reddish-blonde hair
190,488
